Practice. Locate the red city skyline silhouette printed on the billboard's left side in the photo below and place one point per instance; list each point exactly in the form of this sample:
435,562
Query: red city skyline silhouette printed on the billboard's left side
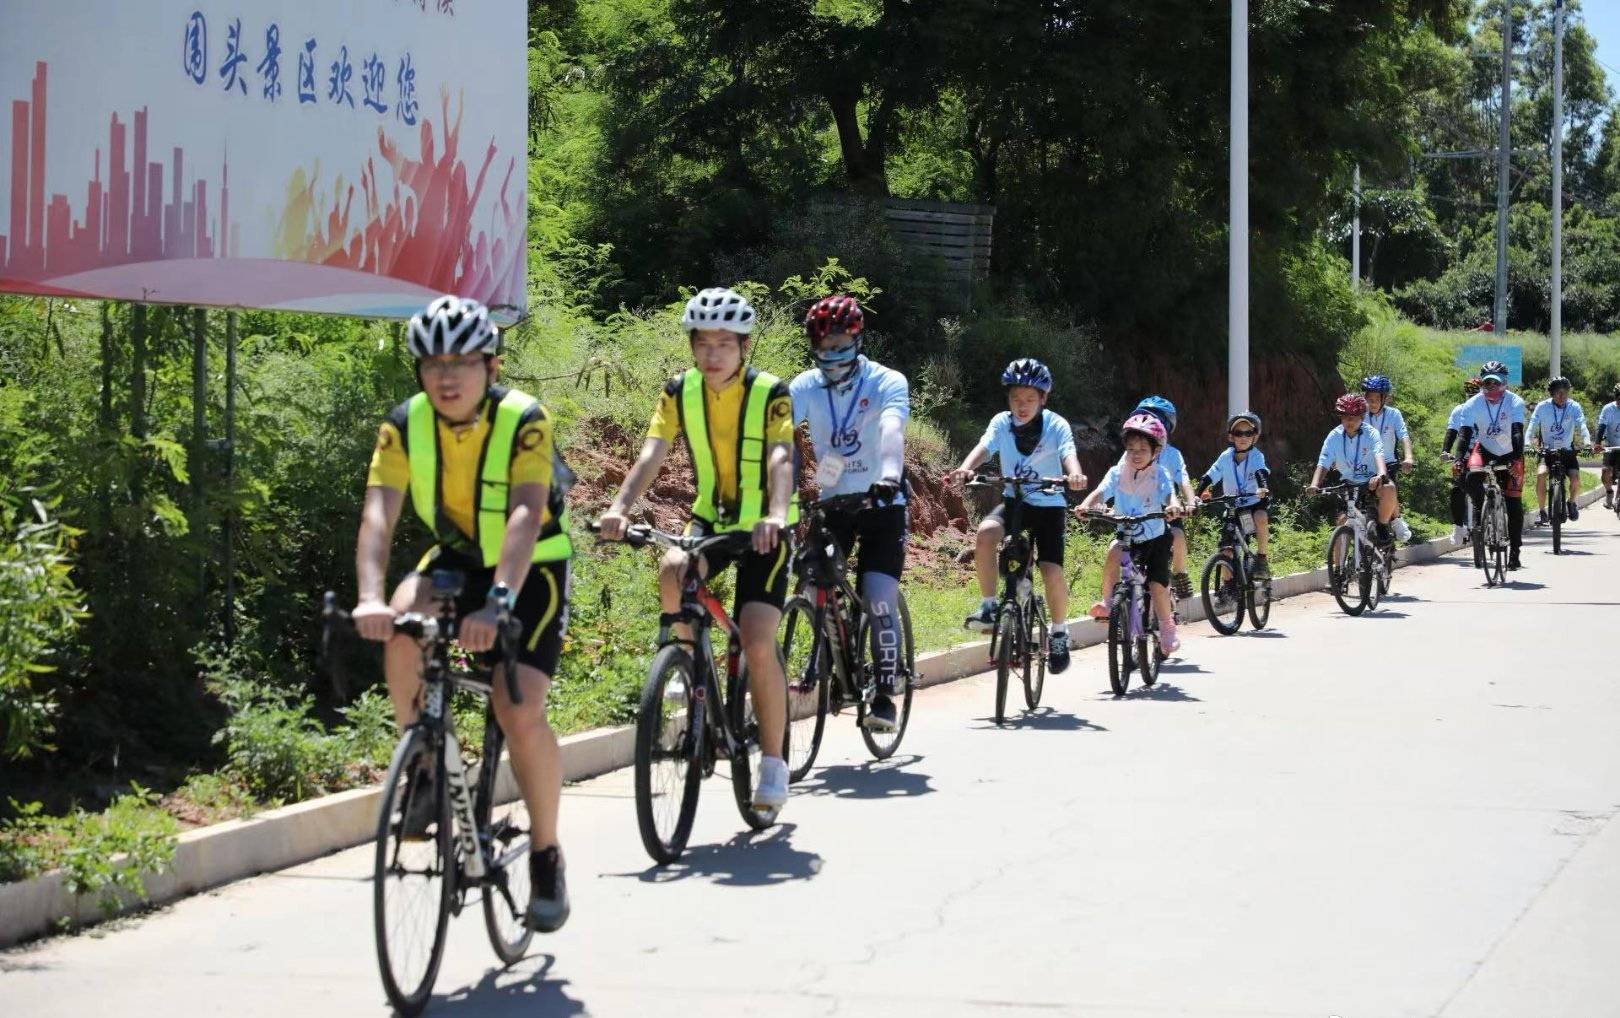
126,218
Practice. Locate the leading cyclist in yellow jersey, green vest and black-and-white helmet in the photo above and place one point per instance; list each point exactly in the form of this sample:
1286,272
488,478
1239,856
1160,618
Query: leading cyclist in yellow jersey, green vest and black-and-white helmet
484,474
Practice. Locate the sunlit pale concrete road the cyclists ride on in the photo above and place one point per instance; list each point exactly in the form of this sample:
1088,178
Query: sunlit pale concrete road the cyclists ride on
1402,815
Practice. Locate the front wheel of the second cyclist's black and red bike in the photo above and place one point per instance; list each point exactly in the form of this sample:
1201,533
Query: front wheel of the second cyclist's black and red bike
668,753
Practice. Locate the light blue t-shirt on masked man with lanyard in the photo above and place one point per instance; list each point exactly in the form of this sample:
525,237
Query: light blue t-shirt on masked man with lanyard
848,421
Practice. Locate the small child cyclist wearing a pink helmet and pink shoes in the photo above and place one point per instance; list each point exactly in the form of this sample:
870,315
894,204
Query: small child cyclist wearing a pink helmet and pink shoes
1136,485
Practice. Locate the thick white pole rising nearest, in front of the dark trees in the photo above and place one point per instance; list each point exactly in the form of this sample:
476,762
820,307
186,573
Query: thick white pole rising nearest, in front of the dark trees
1238,229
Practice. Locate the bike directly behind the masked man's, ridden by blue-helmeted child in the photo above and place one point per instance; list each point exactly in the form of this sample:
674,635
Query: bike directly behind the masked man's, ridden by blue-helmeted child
1020,638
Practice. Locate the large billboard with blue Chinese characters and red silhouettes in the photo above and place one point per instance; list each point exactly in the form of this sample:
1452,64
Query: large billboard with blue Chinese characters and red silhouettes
341,156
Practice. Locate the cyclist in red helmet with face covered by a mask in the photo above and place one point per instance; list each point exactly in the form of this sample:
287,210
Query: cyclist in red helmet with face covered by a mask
856,414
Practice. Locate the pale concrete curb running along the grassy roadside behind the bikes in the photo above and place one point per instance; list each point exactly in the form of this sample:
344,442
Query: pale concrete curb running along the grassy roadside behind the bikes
284,837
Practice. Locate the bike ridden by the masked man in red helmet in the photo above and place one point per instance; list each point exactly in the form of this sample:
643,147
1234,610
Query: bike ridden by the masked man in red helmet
825,643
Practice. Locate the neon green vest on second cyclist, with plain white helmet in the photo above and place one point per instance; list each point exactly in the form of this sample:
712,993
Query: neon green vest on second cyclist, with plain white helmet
752,476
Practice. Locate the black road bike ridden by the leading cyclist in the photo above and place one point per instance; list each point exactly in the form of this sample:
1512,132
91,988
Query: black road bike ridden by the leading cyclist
424,879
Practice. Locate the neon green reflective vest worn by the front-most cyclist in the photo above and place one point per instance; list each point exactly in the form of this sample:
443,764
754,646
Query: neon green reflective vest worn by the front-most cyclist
493,479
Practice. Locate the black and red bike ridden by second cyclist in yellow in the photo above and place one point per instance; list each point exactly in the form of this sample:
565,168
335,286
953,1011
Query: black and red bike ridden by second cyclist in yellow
686,724
